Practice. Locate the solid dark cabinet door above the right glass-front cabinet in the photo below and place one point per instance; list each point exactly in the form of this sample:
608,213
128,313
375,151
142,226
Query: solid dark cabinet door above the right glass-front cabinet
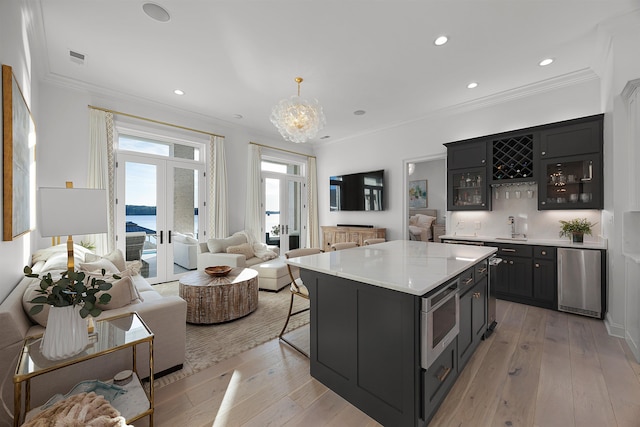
579,136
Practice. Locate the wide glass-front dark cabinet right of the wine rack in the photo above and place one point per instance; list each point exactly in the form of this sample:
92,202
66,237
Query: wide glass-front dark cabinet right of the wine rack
573,182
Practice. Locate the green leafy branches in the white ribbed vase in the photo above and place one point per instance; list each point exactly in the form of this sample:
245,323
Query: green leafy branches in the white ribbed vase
70,290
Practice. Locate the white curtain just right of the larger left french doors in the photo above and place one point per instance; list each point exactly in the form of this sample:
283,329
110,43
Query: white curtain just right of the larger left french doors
218,206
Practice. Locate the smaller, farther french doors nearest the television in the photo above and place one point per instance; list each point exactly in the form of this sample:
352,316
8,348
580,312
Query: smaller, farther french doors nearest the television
284,207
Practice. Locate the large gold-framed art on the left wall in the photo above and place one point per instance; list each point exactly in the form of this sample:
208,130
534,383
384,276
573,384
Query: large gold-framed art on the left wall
18,153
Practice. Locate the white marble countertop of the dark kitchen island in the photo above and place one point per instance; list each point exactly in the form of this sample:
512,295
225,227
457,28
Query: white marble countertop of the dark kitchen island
401,265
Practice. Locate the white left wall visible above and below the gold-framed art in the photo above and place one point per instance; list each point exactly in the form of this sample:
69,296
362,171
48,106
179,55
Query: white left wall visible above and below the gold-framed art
15,52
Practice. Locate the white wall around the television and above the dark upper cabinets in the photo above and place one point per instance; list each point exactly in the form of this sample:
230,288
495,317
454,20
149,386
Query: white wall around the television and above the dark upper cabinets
388,149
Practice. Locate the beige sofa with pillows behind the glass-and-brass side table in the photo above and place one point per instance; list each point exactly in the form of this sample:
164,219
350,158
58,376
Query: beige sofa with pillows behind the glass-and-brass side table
165,316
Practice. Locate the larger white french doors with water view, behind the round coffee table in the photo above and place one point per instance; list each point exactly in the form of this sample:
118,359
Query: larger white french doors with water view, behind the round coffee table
158,212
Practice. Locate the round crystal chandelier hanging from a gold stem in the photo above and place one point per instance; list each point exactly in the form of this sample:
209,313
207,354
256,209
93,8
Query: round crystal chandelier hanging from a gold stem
298,119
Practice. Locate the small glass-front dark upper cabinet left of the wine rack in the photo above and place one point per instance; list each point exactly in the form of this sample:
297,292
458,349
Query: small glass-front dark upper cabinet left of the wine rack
467,190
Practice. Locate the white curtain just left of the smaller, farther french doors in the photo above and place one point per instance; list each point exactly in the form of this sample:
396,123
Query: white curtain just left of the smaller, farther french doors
254,211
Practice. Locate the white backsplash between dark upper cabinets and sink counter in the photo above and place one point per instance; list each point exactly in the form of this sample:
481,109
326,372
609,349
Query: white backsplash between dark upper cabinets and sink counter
521,202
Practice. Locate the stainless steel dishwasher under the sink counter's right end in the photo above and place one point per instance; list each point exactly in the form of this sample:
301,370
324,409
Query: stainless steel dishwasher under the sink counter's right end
579,281
